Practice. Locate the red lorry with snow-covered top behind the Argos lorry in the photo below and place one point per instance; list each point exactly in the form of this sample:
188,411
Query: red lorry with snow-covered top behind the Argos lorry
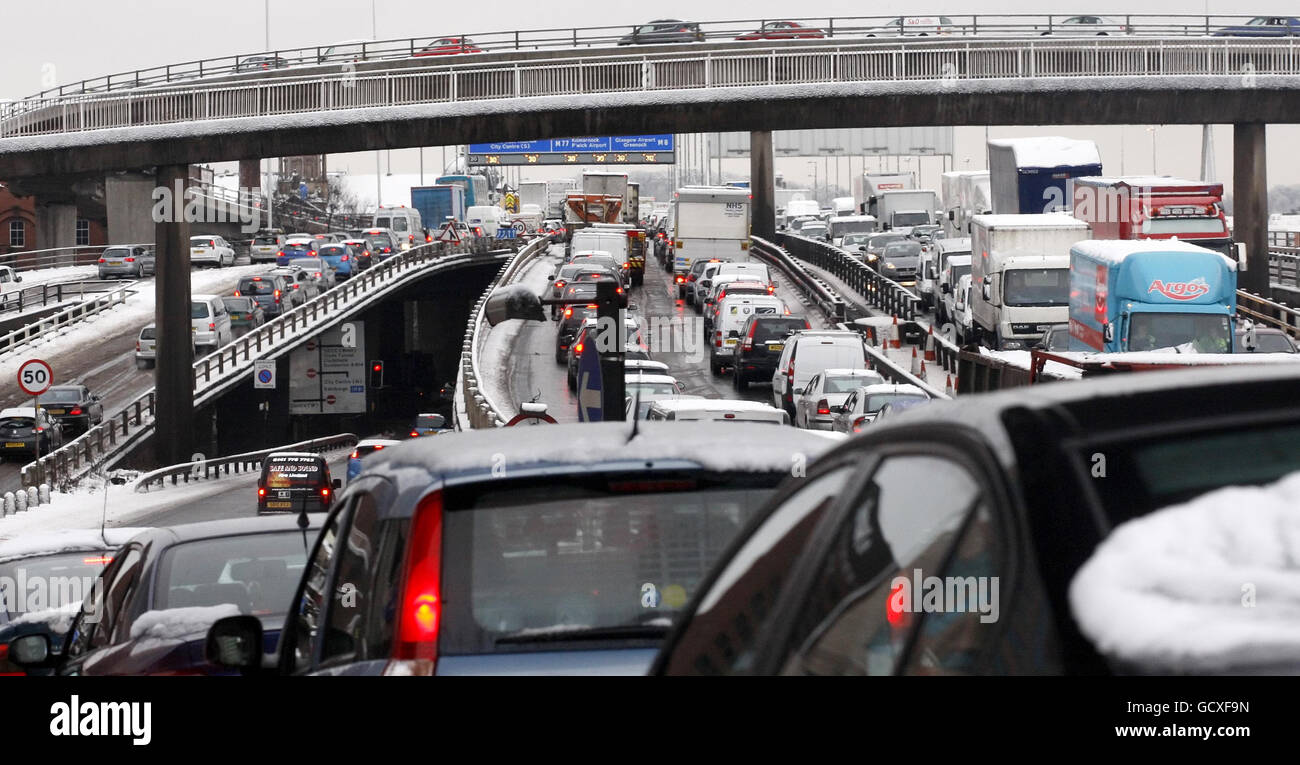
1154,209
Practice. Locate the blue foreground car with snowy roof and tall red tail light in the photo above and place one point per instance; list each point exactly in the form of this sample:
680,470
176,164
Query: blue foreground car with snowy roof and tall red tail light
491,572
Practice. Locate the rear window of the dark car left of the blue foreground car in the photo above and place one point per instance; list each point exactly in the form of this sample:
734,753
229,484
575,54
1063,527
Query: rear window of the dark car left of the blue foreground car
258,573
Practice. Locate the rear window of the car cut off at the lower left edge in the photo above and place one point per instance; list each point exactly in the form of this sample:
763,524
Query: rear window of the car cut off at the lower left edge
50,582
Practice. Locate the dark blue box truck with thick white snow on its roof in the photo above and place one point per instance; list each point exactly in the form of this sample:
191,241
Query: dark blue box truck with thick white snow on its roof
1029,176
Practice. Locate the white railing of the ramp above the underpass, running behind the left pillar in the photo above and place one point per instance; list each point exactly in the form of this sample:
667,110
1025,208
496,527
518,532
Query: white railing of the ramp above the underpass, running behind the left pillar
213,373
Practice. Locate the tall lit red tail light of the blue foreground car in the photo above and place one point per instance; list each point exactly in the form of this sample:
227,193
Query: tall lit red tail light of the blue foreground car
422,589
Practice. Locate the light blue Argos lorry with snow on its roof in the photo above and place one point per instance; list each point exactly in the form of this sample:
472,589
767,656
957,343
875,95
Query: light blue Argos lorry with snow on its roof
1150,295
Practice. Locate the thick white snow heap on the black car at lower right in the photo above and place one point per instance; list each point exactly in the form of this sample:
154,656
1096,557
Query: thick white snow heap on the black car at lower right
1208,586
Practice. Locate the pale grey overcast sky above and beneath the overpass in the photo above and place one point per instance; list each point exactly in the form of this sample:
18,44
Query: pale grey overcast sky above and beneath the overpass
76,40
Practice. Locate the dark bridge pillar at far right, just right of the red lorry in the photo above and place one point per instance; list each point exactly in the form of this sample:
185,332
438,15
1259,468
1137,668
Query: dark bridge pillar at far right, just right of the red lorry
1251,205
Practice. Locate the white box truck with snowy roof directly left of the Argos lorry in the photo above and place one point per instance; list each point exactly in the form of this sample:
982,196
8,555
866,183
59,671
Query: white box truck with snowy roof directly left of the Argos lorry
1021,276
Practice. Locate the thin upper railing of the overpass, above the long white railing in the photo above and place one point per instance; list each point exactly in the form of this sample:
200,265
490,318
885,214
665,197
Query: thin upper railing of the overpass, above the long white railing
573,38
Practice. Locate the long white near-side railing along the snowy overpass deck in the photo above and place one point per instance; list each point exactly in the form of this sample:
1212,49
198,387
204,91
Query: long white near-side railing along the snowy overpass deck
947,60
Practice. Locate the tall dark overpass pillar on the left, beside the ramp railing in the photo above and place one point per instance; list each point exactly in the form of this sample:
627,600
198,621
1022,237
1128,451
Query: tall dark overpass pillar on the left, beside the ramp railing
174,435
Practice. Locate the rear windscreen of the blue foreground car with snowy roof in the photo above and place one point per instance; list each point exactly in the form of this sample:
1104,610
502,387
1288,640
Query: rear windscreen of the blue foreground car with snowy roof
604,559
